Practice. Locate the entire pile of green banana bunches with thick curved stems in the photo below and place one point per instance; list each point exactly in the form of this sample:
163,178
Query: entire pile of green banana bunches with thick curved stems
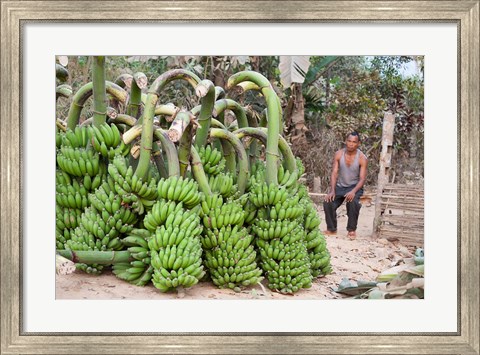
185,218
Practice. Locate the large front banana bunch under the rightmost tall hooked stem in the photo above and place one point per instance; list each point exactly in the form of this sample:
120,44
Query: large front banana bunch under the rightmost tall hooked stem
280,238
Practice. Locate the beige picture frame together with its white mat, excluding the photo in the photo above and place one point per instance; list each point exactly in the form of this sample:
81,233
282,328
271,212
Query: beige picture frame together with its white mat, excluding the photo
445,33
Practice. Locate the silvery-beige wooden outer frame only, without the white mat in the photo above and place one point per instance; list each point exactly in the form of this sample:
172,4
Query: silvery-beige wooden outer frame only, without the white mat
464,13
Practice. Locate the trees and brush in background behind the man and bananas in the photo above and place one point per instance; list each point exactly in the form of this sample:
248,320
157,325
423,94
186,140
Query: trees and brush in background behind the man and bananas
323,99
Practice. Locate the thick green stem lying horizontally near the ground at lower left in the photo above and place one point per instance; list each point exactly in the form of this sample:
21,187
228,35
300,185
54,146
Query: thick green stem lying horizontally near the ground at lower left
96,257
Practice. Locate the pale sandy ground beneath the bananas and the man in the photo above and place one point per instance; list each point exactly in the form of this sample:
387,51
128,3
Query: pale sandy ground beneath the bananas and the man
360,259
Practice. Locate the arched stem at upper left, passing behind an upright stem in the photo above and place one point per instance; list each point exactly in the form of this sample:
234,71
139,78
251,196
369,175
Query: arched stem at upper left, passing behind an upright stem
84,93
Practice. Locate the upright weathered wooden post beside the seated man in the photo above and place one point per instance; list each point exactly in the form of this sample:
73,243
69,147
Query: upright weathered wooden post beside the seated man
385,165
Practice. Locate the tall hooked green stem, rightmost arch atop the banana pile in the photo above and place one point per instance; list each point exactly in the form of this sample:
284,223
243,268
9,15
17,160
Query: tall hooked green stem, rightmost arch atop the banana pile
273,118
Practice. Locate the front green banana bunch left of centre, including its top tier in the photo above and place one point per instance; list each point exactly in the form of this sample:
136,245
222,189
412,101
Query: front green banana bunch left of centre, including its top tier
175,247
